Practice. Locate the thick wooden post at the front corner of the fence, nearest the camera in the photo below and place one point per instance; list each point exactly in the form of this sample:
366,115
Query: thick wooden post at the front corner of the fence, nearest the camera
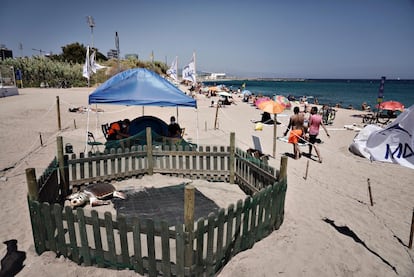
189,224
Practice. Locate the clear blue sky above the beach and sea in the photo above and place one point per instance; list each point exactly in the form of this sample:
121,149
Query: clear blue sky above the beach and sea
262,38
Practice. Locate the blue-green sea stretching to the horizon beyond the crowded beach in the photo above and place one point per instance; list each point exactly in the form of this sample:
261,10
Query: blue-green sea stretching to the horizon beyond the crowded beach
332,92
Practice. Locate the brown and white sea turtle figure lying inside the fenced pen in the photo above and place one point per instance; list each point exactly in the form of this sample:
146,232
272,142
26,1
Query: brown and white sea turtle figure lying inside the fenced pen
96,194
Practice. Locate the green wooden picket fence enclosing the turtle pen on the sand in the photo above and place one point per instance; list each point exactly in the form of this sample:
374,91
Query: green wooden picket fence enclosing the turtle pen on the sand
146,246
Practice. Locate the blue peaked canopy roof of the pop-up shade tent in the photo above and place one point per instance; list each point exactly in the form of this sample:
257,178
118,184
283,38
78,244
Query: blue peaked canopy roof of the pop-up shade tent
140,87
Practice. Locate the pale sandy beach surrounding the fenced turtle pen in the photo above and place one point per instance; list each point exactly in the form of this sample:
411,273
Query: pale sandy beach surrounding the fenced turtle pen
329,229
